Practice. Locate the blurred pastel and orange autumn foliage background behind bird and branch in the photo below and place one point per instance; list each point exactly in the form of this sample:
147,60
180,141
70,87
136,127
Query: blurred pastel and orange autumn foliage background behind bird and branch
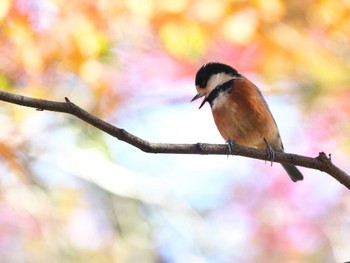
70,193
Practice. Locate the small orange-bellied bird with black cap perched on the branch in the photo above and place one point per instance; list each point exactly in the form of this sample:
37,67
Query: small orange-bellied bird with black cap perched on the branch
240,112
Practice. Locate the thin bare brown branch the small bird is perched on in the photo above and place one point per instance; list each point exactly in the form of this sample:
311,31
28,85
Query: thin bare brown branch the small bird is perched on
322,162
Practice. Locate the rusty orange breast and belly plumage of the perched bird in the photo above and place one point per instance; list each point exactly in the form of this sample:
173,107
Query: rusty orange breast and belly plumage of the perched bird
243,116
